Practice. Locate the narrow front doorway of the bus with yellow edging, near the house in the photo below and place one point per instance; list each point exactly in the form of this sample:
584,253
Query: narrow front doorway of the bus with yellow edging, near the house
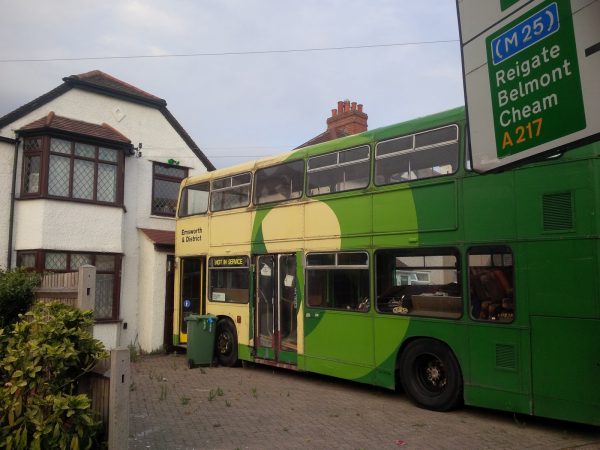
191,288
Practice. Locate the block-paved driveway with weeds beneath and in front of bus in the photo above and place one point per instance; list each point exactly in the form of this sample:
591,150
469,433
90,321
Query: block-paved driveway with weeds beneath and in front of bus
258,407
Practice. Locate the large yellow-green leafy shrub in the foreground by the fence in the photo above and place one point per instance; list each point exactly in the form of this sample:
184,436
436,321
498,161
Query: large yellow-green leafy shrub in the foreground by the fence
42,358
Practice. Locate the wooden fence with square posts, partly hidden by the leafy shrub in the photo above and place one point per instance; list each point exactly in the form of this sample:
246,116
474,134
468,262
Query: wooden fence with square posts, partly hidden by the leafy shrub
107,384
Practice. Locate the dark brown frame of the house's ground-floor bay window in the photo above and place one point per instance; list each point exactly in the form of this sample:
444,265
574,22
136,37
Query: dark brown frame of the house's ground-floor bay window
40,267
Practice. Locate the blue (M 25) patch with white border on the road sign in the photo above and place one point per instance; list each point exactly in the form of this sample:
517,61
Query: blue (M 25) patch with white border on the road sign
530,31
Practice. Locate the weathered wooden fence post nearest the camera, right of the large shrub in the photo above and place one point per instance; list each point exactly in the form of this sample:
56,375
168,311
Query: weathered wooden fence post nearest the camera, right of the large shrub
118,419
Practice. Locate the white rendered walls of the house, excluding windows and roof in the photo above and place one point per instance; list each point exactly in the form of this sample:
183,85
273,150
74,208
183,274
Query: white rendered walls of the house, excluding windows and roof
77,226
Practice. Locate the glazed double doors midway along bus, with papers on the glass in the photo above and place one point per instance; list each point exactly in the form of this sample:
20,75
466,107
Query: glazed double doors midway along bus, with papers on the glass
276,308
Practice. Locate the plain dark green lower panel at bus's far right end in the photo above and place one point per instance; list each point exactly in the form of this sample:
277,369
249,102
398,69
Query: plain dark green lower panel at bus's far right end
566,368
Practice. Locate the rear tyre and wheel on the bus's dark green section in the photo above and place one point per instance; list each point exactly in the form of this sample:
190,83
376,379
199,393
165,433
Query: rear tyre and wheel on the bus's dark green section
430,375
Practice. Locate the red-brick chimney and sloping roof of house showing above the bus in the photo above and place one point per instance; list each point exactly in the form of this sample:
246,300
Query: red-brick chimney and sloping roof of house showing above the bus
346,120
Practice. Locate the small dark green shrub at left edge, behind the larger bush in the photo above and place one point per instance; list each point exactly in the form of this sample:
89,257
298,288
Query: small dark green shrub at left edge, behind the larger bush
16,294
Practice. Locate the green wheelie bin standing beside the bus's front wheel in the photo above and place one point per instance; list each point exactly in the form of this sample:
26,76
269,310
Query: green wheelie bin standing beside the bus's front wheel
201,339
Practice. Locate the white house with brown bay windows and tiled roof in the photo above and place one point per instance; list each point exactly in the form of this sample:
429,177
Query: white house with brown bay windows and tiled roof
89,174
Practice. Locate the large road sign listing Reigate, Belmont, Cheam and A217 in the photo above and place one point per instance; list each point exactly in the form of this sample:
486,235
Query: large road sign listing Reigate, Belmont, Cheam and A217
532,77
